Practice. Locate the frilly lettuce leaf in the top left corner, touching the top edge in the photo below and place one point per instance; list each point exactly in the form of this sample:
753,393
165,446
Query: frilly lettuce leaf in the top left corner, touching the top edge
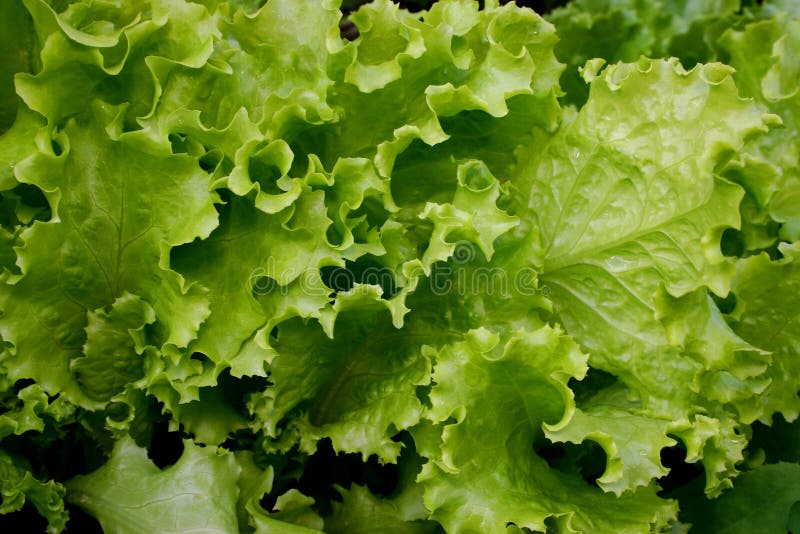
112,53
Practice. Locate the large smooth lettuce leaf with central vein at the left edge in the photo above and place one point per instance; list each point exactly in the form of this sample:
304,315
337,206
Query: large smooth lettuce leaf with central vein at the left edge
109,239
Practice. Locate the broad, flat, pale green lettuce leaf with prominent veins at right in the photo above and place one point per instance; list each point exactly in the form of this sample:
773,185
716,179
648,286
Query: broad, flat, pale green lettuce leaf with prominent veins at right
657,217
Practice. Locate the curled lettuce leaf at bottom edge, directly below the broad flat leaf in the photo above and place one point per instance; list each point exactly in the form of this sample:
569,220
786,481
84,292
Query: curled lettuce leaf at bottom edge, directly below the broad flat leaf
489,402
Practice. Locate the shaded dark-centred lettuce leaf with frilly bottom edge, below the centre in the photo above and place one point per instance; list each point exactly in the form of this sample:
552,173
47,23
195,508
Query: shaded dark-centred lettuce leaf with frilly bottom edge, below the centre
359,394
